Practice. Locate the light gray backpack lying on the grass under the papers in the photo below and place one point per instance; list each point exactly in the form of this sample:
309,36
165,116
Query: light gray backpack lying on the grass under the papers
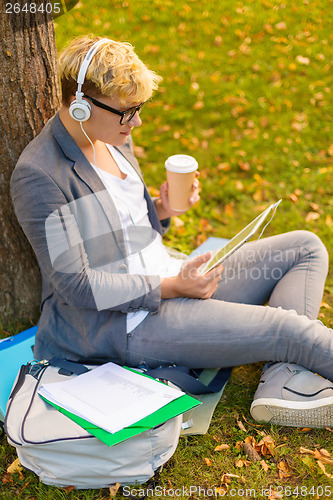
62,453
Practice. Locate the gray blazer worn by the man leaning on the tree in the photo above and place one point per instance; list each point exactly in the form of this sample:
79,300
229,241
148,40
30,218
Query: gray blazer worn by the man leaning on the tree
73,226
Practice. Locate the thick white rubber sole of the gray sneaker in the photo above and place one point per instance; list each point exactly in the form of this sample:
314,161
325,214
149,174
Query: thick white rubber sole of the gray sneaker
318,413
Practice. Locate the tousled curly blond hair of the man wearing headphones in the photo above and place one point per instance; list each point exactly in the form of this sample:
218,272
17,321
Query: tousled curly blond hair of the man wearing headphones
115,69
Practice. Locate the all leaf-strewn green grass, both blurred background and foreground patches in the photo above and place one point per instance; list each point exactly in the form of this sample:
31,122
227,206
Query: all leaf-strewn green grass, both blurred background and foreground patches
247,90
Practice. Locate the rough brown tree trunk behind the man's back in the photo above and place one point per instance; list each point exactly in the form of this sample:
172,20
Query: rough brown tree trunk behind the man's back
29,96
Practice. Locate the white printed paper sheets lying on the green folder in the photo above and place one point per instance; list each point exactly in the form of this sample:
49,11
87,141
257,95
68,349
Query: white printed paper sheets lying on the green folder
110,396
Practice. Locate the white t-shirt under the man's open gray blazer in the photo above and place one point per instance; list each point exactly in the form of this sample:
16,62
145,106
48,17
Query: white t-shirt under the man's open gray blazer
128,195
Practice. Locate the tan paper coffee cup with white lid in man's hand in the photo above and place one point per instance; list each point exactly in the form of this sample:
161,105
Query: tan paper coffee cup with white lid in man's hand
181,172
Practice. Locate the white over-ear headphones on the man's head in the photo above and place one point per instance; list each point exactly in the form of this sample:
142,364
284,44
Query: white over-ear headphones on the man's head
80,109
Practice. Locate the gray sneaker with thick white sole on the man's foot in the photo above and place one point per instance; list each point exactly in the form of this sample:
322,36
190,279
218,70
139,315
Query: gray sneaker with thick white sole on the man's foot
289,394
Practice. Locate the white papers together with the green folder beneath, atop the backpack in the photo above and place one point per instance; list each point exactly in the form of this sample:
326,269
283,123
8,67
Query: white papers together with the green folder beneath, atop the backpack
114,403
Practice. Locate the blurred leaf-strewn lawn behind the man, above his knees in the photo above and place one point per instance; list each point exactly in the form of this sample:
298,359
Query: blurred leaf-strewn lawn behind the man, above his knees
247,90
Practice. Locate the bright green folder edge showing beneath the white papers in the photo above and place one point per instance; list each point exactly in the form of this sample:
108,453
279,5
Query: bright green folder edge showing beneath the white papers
170,410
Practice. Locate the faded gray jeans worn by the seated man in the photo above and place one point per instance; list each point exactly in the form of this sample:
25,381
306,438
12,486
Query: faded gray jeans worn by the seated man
235,327
